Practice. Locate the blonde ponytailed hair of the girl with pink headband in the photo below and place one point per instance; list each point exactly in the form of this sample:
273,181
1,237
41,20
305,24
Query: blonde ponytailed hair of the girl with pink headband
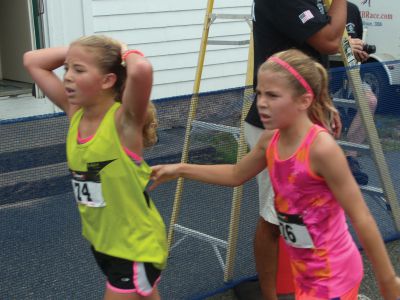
322,109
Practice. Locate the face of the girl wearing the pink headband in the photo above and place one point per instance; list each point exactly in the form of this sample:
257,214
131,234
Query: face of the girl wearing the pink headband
276,104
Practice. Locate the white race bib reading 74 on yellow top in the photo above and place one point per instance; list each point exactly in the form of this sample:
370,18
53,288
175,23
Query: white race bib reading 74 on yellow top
88,193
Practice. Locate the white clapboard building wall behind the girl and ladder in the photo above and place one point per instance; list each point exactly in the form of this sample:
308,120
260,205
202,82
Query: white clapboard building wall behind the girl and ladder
169,33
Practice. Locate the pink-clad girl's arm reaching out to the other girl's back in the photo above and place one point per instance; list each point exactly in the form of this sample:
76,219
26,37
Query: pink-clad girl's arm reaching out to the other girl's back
229,175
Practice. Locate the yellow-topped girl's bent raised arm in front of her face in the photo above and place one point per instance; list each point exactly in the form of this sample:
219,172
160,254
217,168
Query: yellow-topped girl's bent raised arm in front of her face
40,65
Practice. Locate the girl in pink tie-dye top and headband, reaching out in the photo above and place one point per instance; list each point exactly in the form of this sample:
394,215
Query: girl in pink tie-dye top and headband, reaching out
312,183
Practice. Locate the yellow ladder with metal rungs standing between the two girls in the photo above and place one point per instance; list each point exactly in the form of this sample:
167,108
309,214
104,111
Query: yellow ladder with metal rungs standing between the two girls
217,244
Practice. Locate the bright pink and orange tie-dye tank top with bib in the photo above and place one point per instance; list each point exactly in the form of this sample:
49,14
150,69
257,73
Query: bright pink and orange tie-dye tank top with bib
324,258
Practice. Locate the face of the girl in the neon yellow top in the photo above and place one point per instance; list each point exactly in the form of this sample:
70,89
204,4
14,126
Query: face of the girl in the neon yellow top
83,80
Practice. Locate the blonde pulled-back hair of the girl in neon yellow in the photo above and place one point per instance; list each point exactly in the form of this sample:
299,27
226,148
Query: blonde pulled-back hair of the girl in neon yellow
108,55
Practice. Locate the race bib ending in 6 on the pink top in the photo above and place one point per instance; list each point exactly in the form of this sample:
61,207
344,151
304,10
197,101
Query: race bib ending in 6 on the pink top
294,231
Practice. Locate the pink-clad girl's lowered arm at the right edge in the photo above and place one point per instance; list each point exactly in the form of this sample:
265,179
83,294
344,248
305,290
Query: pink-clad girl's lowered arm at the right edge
338,176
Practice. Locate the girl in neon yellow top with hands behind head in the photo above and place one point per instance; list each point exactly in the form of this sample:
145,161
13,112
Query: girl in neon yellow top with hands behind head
104,149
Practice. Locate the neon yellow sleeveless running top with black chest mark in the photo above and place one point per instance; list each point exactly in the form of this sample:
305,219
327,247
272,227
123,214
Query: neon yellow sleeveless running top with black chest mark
118,217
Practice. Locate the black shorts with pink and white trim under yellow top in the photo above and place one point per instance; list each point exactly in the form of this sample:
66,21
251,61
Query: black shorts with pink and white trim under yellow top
125,276
